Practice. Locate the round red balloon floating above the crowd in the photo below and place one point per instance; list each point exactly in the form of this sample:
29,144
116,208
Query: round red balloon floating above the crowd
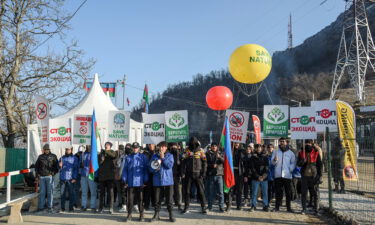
219,98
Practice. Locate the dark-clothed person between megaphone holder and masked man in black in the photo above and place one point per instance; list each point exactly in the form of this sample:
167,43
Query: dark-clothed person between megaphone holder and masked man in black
177,186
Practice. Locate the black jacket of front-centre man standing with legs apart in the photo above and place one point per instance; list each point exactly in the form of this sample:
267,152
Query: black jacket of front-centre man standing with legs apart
194,163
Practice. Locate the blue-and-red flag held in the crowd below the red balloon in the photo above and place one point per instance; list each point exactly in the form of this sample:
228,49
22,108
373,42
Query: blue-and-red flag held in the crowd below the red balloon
229,180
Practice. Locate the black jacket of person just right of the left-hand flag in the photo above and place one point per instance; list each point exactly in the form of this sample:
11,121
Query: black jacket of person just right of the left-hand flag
107,163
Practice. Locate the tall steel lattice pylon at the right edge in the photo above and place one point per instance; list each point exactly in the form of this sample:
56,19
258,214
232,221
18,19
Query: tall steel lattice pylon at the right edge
356,51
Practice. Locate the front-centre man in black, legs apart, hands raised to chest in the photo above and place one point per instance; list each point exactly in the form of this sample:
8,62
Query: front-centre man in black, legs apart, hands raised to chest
194,167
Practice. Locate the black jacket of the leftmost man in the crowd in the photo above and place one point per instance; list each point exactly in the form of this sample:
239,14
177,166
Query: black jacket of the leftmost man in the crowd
46,165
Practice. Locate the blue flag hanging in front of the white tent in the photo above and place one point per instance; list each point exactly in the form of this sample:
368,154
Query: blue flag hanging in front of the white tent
95,147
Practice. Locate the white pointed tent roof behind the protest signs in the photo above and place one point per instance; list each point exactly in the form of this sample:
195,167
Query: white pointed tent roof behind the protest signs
95,98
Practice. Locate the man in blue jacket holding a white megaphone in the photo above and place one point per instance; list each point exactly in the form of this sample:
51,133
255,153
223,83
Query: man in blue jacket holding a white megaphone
161,167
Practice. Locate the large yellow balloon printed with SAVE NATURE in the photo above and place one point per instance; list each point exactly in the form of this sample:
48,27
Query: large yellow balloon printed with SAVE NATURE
250,64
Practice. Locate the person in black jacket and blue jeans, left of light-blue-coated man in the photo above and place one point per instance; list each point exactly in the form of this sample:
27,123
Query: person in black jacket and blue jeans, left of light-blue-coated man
259,171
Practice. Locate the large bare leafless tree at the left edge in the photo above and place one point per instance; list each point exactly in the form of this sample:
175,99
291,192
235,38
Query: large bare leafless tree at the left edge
26,70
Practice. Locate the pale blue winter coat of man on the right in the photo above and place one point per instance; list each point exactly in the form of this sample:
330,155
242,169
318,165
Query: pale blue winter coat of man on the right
285,164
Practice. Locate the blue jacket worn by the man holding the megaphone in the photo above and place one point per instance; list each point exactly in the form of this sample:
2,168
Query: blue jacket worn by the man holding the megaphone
163,176
